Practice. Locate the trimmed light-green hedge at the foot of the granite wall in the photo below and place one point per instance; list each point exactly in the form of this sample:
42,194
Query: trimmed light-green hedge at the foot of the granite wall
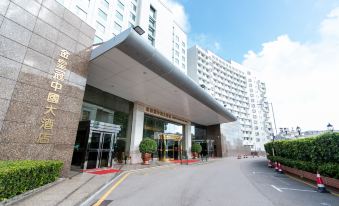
19,176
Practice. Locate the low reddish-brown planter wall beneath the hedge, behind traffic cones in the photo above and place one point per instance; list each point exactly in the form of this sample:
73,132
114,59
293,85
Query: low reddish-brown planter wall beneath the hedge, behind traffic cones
311,176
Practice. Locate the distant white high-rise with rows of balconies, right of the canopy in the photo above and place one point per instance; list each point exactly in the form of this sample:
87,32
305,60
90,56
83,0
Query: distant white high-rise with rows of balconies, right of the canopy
237,89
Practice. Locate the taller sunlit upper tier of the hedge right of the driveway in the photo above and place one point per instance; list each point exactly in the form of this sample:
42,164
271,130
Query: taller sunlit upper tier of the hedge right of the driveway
320,149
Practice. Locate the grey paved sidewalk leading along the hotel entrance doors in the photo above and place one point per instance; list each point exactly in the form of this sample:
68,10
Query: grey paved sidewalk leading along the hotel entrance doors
76,189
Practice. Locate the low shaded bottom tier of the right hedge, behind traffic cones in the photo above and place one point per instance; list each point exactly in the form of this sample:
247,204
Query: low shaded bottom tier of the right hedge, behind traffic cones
325,169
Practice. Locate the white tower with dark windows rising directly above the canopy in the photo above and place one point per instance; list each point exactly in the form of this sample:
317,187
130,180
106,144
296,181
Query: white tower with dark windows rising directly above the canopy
111,17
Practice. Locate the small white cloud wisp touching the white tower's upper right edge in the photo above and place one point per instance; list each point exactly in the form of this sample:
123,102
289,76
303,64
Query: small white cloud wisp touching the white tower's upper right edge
179,13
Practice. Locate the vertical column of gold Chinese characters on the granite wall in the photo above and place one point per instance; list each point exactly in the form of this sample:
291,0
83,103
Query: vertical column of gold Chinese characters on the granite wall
53,98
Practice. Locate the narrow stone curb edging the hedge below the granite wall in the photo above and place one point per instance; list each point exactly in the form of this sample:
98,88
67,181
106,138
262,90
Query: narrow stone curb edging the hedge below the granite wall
30,193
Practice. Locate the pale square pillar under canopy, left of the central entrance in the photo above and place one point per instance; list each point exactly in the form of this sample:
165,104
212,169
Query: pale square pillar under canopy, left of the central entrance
137,132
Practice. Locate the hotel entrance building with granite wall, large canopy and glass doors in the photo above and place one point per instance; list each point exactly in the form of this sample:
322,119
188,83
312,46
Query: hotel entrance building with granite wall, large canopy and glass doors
61,99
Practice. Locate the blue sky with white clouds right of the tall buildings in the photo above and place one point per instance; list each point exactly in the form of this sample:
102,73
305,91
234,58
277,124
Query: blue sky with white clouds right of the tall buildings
293,45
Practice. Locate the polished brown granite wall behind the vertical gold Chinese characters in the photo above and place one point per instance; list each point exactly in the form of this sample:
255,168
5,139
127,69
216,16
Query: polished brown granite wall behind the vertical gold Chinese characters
32,35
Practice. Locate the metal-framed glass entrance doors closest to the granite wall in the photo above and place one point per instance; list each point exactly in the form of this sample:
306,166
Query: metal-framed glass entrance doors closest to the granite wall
100,150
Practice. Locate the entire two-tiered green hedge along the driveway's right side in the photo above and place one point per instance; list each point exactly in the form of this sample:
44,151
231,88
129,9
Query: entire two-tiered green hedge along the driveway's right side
319,153
